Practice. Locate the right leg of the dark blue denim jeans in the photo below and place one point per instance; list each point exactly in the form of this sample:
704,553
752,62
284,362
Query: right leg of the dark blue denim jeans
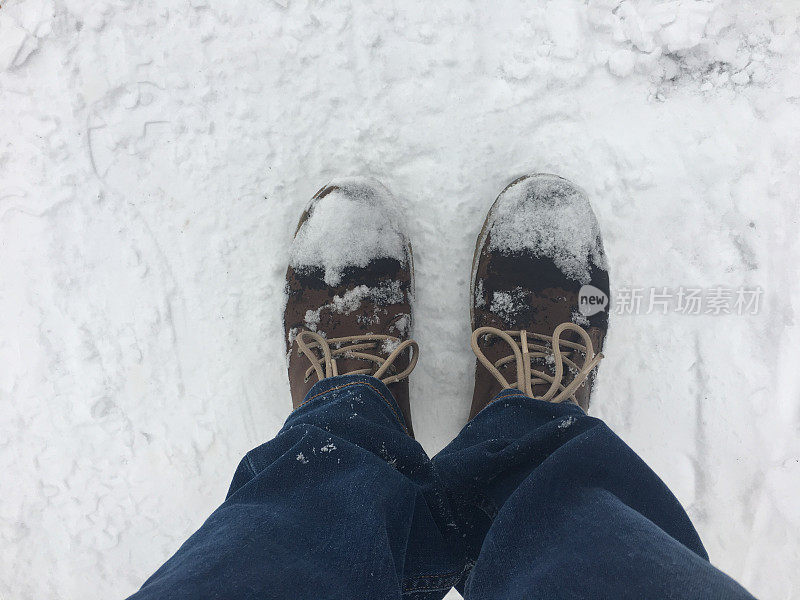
554,506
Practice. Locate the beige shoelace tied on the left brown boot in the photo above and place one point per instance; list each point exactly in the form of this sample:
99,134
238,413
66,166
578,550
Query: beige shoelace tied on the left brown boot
354,346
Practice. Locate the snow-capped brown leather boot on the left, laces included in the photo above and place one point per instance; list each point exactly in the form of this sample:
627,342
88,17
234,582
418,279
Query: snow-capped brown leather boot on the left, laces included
350,283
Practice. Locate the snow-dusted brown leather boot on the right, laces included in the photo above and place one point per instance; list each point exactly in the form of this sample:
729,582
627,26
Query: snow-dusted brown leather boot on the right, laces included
539,294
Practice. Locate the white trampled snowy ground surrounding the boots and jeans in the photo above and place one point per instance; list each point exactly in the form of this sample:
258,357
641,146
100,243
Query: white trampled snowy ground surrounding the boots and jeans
154,157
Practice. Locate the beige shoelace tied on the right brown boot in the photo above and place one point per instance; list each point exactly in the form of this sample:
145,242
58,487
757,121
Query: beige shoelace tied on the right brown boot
525,352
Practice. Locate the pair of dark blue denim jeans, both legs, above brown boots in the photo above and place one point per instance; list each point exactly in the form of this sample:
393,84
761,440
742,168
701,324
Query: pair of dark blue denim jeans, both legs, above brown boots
531,500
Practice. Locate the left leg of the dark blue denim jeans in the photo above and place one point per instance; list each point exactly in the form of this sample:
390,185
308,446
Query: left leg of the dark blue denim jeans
341,504
